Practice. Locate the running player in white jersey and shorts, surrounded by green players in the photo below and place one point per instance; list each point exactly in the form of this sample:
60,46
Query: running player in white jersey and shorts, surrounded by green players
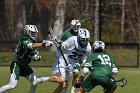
74,49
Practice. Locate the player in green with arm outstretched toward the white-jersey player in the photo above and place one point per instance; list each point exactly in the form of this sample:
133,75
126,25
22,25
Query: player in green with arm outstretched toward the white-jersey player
25,52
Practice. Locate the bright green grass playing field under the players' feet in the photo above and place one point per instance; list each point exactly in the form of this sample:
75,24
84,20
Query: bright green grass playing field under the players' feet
132,75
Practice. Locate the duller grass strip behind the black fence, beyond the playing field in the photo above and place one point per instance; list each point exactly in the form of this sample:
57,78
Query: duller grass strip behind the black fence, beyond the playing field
122,56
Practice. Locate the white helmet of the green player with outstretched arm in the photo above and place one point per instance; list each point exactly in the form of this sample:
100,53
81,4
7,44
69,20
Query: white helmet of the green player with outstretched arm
31,30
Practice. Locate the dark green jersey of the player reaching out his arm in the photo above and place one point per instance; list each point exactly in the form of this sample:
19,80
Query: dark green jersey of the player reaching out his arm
24,54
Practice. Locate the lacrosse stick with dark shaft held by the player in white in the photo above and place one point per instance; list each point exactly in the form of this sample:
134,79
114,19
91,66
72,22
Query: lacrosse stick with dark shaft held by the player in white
54,39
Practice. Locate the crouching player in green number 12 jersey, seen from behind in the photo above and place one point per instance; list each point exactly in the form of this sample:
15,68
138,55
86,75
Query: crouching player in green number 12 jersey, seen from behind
101,70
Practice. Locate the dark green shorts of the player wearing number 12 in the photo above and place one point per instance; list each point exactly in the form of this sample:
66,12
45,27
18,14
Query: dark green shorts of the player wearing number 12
93,80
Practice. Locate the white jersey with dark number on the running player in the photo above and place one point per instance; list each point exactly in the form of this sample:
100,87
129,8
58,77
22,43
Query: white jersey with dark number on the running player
73,51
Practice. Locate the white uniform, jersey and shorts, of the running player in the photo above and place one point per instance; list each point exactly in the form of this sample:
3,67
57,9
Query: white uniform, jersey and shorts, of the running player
73,53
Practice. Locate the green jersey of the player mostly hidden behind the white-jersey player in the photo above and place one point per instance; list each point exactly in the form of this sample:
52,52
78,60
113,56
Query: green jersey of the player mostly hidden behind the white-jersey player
68,33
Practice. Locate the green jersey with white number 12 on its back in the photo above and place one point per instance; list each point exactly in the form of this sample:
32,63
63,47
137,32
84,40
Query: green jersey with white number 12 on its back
102,64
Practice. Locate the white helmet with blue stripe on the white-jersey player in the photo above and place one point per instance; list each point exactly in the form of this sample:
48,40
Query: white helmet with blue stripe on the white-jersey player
83,36
